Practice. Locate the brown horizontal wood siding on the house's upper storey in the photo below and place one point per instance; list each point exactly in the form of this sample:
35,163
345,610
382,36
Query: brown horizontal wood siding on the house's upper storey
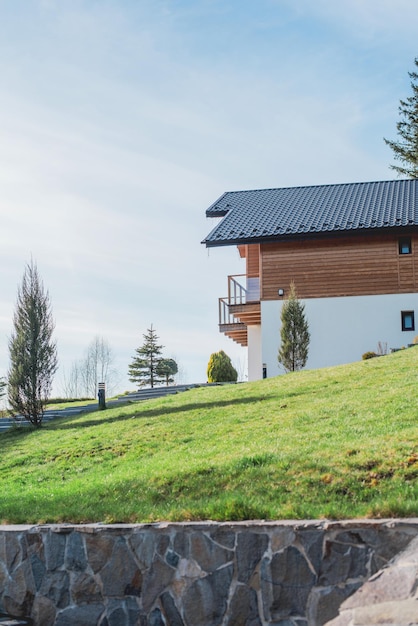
349,266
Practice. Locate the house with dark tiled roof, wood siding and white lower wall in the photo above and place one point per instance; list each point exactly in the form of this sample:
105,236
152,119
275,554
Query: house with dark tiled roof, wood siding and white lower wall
352,252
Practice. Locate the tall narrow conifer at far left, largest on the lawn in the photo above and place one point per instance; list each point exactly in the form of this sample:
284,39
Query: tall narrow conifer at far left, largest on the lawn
33,353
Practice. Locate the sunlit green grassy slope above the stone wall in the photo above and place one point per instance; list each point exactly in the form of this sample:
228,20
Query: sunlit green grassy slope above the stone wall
339,442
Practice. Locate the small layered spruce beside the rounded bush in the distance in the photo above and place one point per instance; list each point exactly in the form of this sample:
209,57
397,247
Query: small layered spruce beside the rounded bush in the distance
143,369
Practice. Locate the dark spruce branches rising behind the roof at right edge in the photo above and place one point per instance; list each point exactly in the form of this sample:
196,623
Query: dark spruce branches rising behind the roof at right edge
406,150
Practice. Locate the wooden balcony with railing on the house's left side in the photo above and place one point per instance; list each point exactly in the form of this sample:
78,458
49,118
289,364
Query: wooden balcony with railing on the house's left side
241,308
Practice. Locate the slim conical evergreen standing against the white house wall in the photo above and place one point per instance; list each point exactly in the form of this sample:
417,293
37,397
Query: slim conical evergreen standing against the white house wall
294,333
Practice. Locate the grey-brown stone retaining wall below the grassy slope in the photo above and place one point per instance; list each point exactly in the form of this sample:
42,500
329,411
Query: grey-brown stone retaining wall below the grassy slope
197,574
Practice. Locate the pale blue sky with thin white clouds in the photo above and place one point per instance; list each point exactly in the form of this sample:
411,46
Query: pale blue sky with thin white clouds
122,121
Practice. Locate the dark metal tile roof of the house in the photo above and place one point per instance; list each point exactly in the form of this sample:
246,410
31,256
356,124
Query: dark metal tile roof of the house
294,212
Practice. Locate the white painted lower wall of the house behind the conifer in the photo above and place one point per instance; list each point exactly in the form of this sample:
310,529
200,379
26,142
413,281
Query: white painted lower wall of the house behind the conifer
341,329
